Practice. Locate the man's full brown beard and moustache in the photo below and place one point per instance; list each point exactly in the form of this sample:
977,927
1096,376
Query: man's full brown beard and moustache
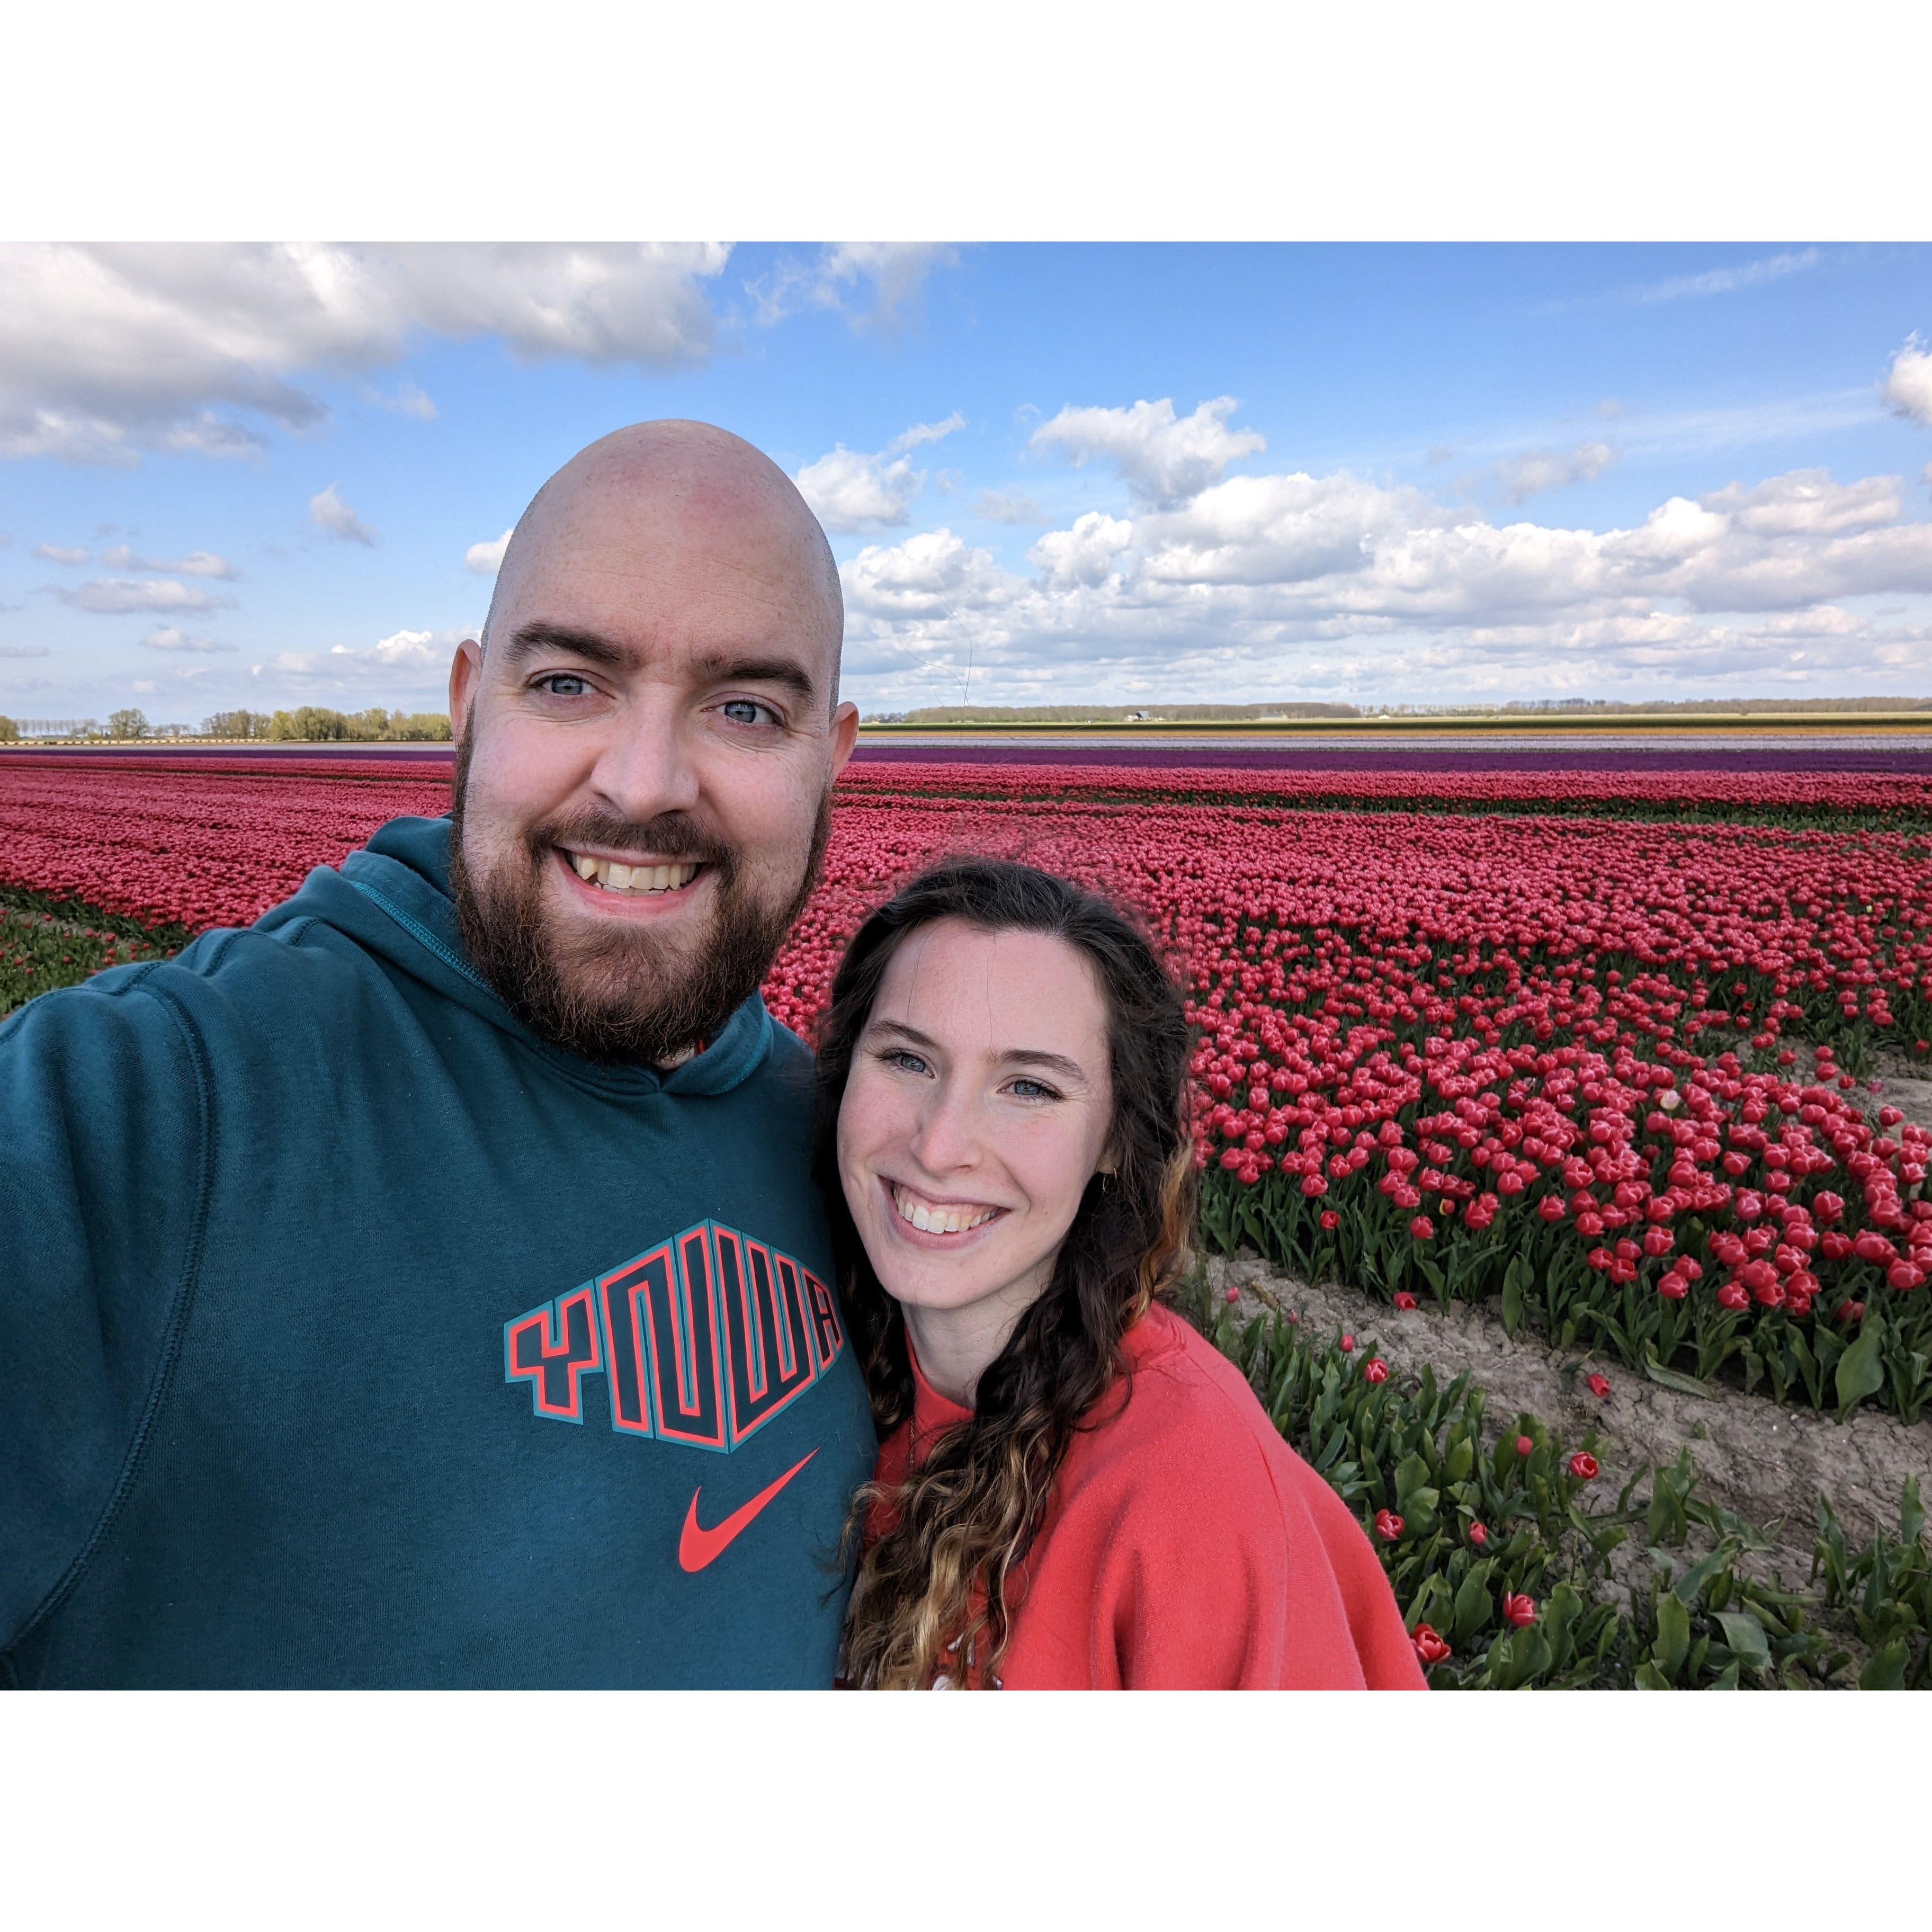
623,996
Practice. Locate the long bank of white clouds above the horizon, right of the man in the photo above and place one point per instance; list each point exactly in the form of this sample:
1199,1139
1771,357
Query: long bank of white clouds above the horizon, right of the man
1340,586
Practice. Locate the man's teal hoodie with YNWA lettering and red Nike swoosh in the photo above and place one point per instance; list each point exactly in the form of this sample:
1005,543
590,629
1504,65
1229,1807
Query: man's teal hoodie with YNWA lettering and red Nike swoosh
355,1336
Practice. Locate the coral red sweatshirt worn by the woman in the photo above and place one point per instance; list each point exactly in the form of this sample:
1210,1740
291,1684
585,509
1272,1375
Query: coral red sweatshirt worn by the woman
1185,1545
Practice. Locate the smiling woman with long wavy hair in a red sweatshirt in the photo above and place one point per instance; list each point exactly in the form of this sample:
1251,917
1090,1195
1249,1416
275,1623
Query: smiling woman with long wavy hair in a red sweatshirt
1073,1491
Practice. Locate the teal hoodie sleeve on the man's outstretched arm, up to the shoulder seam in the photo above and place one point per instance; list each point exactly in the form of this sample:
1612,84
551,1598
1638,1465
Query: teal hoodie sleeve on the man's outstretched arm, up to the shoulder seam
105,1143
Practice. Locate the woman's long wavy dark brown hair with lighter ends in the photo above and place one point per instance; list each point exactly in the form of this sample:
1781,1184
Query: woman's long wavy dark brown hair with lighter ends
940,1587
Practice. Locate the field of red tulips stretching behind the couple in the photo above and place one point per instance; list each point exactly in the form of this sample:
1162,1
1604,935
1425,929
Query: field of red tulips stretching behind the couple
1599,1048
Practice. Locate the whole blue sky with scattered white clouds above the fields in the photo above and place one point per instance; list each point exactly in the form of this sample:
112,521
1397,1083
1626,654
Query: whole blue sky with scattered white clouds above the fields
252,476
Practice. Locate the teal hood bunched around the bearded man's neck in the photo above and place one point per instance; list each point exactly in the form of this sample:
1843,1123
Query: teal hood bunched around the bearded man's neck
393,899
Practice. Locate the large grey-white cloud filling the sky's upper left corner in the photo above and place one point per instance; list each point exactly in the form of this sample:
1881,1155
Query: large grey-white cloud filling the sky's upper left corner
115,349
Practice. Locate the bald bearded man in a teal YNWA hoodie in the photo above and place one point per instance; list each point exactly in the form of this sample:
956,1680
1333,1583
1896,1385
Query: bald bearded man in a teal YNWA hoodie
426,1286
